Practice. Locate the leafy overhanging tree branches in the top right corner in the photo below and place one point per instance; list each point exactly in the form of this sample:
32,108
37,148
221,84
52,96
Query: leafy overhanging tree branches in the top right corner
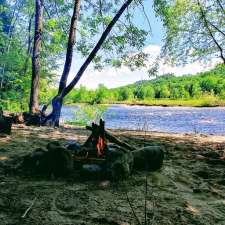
195,30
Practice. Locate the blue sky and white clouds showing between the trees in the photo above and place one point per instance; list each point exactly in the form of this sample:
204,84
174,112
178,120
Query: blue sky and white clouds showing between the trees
112,77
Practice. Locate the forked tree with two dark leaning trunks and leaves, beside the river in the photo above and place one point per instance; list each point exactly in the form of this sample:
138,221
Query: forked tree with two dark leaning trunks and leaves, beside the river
108,24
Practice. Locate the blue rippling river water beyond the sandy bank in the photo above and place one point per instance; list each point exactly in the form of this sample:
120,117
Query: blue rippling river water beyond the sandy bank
165,119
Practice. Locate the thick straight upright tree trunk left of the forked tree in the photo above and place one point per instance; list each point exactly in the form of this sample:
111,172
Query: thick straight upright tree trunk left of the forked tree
34,95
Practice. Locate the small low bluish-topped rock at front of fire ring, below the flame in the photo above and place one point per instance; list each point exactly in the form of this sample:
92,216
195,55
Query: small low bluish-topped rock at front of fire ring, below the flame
92,171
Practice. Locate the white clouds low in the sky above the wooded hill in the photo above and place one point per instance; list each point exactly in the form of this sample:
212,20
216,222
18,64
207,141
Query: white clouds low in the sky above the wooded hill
112,77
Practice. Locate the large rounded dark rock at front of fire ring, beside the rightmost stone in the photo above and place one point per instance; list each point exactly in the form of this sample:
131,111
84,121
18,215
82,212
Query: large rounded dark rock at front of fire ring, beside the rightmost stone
119,163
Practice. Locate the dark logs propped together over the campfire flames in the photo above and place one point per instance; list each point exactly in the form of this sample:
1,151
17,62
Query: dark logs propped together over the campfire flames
108,136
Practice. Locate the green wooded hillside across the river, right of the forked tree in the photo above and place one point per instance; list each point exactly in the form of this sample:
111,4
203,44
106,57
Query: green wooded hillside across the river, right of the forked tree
211,83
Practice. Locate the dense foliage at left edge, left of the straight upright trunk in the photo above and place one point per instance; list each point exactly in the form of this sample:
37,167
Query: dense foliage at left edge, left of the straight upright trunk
12,55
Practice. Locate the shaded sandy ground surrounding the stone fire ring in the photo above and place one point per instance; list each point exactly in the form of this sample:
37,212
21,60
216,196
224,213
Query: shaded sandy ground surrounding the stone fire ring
187,190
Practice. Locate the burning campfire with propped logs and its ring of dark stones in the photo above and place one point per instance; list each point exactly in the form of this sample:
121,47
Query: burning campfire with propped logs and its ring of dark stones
102,155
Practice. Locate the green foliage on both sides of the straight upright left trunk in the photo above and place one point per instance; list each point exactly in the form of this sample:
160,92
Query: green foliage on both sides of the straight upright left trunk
15,55
